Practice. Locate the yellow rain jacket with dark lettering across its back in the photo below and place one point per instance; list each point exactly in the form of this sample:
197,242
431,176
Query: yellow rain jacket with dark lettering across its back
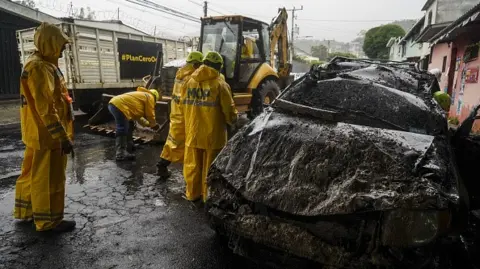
208,106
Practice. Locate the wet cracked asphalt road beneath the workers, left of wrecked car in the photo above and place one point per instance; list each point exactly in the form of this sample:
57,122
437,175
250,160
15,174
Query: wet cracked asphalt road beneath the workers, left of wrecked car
125,218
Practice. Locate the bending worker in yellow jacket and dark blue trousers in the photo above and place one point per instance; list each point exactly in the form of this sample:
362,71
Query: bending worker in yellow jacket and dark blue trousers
127,108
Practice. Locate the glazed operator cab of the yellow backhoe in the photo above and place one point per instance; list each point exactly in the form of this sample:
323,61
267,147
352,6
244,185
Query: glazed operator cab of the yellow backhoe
244,44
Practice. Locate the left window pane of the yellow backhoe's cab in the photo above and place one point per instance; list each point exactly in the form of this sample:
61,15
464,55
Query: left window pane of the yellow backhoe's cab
222,37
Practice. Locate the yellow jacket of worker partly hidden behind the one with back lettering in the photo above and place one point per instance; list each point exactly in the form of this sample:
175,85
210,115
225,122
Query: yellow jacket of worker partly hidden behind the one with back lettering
174,147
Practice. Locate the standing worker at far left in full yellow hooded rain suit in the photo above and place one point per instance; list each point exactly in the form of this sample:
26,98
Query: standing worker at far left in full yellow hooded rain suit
47,132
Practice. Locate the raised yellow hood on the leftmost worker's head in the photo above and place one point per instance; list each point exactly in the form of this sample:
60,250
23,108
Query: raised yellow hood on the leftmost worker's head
49,41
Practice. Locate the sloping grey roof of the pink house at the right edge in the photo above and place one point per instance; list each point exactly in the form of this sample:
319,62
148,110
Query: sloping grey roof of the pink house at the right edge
451,31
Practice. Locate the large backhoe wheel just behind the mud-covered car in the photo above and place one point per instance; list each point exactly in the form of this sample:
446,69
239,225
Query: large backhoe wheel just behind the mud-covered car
264,95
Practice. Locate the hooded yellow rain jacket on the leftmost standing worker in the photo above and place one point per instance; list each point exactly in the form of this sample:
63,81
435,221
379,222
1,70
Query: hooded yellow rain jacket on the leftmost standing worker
45,110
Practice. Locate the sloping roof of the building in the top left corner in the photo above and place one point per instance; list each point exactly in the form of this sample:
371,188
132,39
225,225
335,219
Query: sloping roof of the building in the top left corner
26,12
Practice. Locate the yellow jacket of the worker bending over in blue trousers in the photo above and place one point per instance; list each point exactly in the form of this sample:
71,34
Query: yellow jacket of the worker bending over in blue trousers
138,106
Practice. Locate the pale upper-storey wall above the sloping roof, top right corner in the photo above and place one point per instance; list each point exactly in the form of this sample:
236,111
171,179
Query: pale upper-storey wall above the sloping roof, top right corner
450,10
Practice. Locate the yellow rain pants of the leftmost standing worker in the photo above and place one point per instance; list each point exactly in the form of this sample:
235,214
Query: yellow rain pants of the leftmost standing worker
40,189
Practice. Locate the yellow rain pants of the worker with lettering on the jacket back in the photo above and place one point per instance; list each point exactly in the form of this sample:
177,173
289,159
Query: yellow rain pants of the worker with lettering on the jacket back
195,171
